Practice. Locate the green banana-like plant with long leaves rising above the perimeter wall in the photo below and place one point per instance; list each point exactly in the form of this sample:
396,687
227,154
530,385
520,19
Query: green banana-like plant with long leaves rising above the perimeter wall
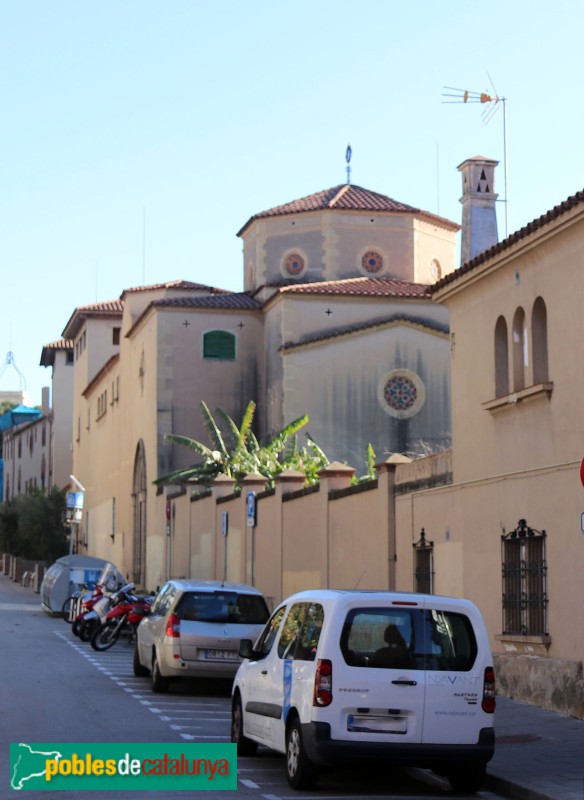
238,452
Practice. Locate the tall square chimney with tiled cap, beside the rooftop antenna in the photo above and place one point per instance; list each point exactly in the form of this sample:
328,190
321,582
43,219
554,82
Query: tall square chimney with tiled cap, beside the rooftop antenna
479,215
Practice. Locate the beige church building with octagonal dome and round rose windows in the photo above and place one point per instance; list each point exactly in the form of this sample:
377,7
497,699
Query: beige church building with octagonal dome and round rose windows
335,321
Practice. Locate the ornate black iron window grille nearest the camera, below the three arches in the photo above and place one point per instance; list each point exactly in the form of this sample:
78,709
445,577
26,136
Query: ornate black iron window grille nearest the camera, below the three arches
525,598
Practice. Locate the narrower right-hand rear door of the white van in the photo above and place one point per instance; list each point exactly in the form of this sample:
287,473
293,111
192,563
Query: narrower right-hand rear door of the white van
456,653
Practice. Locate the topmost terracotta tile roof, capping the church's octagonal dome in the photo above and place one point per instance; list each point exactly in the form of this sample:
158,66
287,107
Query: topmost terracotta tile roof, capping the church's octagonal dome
346,197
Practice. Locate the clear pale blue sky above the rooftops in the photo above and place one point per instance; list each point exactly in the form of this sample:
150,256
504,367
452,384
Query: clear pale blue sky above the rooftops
137,137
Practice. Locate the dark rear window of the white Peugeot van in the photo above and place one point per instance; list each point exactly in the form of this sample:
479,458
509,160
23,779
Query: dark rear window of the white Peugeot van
399,638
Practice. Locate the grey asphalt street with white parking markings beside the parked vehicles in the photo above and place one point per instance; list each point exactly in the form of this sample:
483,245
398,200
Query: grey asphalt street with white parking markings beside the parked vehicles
56,688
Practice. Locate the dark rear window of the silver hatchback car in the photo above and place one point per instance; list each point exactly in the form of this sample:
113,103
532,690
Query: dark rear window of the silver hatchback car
223,606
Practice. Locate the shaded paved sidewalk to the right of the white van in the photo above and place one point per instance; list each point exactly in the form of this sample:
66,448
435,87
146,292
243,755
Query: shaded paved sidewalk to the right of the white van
539,754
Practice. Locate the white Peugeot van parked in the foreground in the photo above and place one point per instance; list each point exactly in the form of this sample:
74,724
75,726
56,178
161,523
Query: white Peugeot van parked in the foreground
400,678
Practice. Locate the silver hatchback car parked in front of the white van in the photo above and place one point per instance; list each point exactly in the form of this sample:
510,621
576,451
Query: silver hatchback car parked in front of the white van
194,628
